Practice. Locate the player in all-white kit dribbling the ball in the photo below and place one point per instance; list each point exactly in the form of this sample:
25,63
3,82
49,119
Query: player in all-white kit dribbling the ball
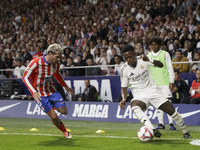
136,73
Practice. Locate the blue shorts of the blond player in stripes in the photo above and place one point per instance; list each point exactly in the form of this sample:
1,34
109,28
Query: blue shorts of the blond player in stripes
54,100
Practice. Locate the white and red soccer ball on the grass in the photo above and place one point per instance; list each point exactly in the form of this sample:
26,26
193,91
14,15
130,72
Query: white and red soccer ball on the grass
145,134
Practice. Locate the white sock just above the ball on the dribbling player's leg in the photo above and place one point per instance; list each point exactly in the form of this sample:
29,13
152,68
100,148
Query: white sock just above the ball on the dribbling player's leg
142,116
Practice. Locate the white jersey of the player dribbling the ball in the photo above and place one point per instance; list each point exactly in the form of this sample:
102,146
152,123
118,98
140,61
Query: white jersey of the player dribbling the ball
139,78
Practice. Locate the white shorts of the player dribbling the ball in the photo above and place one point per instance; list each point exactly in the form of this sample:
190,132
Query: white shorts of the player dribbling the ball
152,96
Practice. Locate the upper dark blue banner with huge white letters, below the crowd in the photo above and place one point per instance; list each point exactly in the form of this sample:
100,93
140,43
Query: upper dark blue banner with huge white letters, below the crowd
108,86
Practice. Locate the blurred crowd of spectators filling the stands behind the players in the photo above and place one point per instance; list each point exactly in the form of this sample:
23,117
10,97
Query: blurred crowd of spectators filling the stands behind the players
93,32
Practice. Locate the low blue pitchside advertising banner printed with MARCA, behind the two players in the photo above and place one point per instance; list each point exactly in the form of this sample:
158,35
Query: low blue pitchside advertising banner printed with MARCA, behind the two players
94,111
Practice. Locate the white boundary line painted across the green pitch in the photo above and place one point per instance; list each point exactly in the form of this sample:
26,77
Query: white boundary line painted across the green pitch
90,136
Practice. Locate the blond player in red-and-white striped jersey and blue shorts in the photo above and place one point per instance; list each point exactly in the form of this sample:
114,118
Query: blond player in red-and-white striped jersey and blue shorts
38,79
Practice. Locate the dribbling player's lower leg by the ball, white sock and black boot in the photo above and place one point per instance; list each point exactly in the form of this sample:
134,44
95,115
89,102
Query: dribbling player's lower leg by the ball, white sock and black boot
145,120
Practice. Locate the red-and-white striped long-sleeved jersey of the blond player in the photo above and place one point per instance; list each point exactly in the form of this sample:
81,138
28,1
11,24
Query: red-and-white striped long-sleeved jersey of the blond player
38,76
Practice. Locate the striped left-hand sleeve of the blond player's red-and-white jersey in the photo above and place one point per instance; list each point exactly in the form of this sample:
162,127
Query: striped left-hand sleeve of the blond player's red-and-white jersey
28,72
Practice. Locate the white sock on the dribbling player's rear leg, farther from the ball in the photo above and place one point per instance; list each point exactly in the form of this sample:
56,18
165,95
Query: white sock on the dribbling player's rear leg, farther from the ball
179,121
